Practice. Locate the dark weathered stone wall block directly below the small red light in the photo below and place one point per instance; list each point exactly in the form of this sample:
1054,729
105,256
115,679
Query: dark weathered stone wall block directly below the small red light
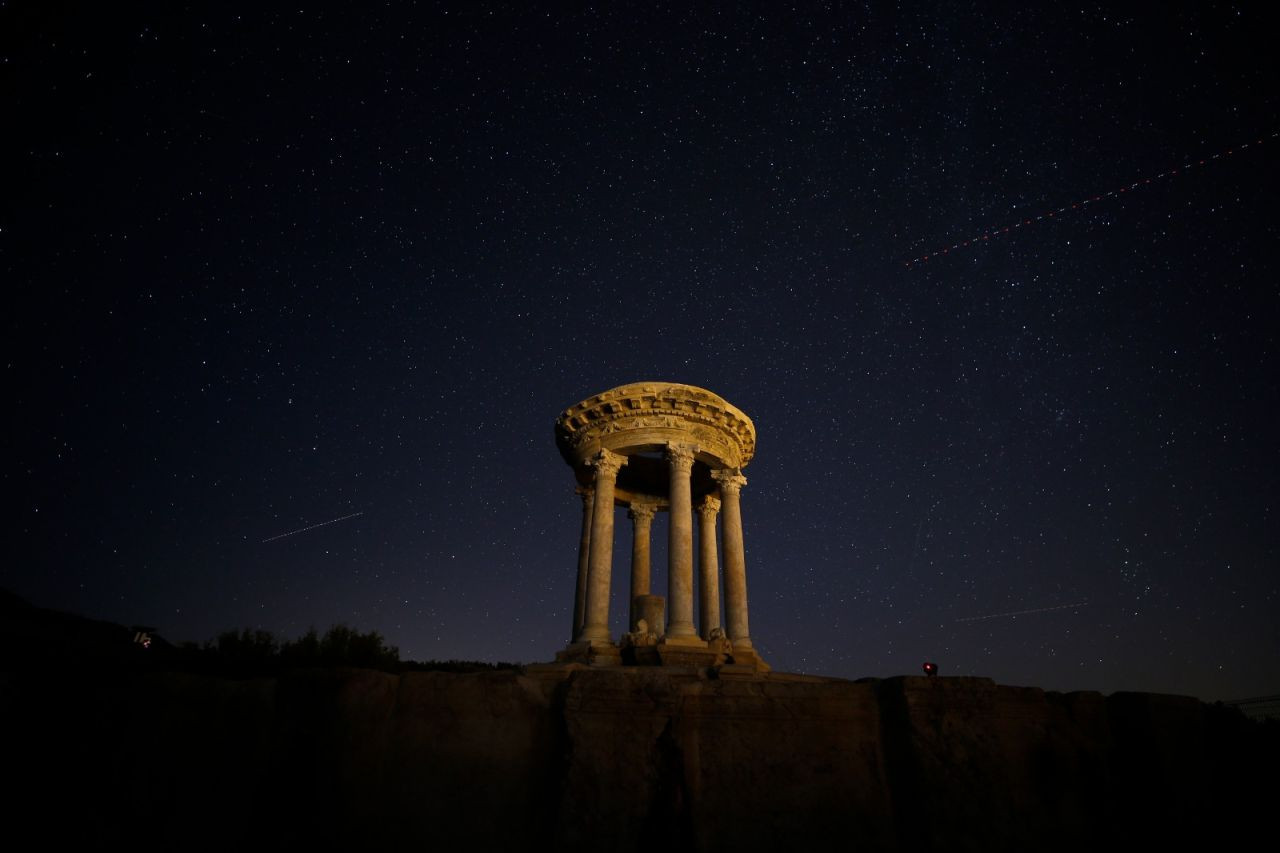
967,756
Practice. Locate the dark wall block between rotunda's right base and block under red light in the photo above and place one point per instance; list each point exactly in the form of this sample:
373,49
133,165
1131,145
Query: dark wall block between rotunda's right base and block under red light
770,764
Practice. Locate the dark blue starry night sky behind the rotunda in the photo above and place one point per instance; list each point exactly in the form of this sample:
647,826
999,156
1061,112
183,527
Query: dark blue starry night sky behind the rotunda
267,267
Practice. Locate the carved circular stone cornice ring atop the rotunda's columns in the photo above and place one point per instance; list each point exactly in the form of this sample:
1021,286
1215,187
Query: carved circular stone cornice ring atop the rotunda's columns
652,414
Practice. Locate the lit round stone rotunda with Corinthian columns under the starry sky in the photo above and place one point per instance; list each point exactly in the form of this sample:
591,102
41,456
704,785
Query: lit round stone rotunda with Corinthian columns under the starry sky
661,448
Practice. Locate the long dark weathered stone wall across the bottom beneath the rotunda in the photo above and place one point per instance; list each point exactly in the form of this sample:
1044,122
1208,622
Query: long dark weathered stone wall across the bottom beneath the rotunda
624,760
